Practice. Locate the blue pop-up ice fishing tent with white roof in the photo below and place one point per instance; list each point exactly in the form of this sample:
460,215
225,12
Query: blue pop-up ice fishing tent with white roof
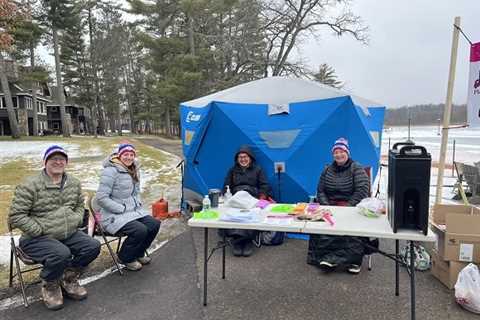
287,122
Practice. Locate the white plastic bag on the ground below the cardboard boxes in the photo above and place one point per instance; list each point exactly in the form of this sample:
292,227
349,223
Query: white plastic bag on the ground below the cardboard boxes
467,288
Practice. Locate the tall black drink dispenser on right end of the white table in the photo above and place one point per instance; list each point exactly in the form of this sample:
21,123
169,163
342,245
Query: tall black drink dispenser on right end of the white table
408,187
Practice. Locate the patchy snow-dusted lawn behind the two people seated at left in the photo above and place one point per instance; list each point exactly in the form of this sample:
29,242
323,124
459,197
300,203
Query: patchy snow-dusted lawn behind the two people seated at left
158,169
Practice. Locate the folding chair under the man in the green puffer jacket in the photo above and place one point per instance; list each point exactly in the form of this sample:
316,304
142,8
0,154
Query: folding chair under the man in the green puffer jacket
17,255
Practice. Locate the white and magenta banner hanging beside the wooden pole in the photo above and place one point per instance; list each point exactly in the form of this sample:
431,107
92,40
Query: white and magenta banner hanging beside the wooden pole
473,103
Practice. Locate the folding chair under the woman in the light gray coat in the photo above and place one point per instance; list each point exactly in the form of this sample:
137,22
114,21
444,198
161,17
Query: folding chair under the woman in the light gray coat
96,229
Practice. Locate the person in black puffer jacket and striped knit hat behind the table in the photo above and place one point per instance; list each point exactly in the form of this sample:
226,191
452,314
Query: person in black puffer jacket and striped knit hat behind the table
342,183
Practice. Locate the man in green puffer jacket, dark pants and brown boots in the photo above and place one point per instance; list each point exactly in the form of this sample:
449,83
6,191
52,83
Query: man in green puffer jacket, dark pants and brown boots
48,208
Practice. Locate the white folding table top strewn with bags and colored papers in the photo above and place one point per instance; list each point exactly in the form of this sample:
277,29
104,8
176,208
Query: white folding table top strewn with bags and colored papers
347,222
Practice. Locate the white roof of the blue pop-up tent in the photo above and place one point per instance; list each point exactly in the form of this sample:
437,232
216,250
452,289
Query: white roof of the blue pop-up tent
279,91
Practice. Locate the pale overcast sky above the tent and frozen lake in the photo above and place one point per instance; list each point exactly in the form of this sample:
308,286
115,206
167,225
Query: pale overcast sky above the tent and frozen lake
408,57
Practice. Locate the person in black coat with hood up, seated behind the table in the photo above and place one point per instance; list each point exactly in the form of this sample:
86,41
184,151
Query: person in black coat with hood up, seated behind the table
245,175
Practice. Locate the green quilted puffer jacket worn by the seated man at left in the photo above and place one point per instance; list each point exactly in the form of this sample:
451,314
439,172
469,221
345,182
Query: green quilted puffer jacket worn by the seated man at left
42,208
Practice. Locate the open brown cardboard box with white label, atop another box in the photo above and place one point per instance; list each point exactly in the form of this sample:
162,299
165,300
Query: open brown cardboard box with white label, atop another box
458,231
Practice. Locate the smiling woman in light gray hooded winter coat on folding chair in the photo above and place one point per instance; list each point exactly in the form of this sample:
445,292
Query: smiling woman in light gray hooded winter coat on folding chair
122,213
